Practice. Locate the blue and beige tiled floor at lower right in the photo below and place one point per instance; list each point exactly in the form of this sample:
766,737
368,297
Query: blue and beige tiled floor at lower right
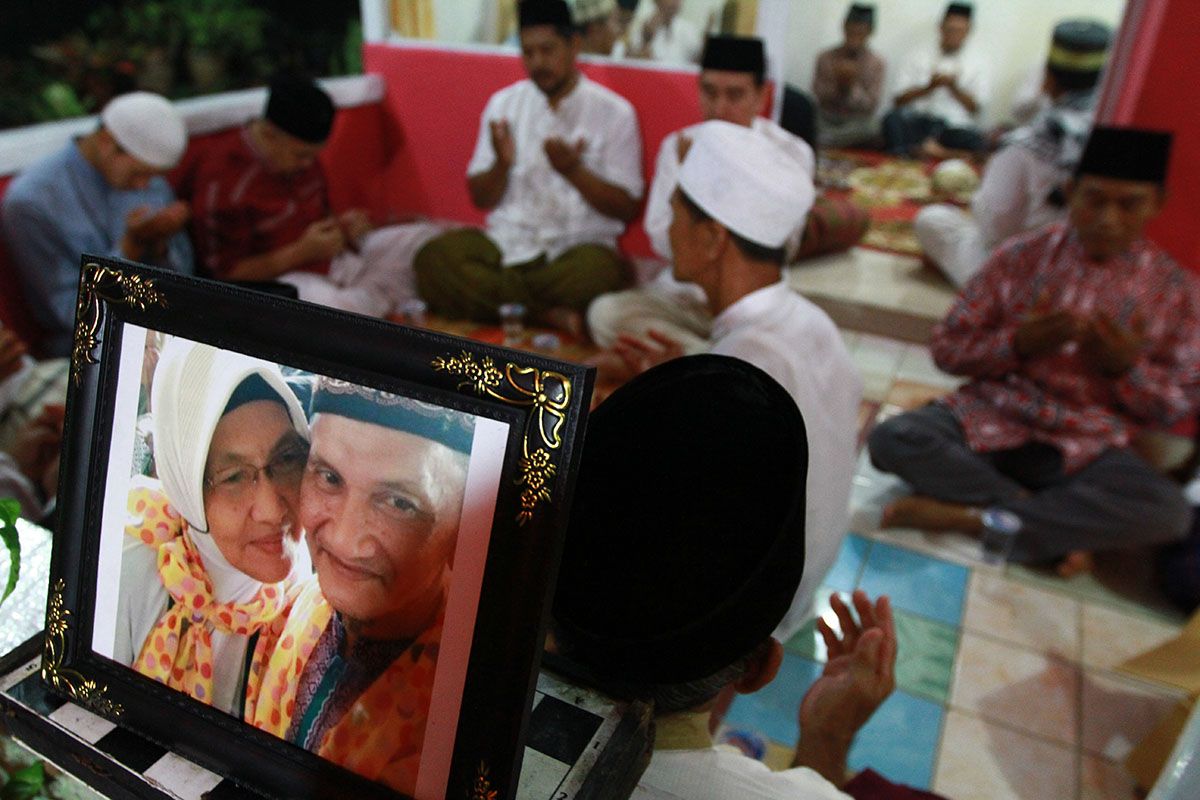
1005,681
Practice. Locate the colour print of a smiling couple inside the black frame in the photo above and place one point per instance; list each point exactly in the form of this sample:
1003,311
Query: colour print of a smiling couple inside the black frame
289,551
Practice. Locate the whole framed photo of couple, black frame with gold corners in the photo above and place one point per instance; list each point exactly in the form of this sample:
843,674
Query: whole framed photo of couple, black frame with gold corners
311,551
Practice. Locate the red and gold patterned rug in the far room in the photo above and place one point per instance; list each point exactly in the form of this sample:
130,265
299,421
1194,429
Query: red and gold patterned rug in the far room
892,190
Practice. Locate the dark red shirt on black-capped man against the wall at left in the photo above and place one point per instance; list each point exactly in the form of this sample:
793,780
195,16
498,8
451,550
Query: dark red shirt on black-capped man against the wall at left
241,209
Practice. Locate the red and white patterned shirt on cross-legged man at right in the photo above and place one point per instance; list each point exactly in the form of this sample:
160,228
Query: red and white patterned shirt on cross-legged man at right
1058,399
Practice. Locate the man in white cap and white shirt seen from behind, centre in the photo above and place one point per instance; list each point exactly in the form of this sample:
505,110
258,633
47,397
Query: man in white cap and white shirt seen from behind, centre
737,202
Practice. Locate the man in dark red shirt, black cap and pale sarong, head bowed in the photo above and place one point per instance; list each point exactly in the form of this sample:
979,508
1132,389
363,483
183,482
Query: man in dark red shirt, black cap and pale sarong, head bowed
262,213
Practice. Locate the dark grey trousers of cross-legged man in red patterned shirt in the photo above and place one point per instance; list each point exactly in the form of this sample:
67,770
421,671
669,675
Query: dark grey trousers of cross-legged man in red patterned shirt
1115,502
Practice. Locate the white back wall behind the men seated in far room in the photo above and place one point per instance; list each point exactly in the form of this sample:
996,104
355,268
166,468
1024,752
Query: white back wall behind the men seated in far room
1015,35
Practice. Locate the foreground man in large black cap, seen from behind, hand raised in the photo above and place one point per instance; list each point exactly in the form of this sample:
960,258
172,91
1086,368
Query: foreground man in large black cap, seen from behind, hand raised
680,561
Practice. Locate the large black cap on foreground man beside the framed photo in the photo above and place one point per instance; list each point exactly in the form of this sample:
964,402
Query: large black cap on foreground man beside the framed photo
686,543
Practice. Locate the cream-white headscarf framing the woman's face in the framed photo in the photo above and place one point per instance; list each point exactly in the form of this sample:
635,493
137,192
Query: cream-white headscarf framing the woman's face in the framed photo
193,386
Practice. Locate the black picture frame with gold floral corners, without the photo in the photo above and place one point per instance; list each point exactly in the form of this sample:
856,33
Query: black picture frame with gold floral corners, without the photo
543,402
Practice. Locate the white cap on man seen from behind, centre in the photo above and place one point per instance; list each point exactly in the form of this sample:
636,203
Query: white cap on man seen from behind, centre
747,183
